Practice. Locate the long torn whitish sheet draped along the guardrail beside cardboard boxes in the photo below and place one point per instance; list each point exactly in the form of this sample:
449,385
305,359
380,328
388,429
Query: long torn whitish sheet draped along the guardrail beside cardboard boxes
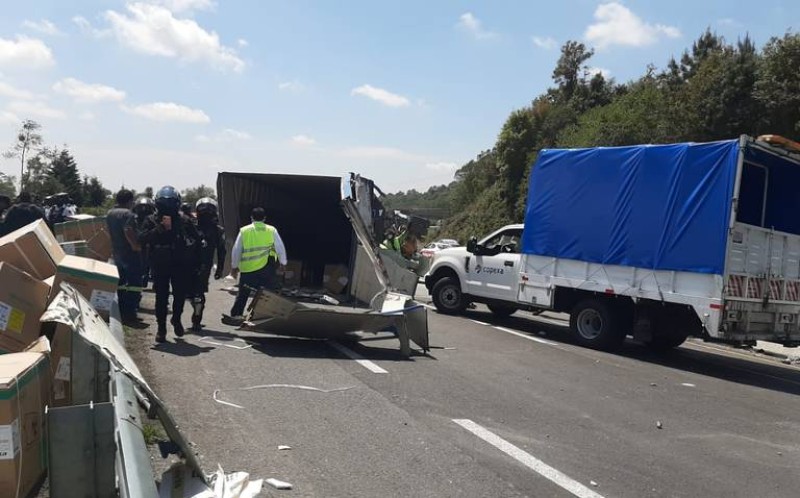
73,310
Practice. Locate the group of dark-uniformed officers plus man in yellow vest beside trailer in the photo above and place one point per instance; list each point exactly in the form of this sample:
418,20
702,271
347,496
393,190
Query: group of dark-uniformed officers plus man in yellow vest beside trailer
175,246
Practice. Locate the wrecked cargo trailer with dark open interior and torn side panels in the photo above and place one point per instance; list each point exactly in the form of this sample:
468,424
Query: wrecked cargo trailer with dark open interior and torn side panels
330,226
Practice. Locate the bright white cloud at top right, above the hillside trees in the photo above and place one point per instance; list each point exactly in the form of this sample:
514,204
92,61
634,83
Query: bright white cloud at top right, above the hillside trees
617,25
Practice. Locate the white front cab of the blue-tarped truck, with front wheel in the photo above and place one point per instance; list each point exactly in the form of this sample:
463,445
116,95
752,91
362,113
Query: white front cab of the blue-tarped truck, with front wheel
485,271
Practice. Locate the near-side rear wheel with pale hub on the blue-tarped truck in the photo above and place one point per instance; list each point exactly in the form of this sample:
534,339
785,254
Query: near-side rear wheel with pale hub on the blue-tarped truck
595,324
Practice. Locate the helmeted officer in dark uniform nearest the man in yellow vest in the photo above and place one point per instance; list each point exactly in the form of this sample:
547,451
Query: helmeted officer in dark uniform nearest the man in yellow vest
213,241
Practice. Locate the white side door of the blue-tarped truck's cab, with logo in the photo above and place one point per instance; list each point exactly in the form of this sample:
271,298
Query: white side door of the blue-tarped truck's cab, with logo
494,272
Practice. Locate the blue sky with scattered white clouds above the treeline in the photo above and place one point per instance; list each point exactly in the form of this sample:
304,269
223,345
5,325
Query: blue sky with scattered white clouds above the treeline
154,92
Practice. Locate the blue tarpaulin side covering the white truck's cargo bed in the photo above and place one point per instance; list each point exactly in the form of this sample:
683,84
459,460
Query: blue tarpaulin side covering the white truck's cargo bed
661,207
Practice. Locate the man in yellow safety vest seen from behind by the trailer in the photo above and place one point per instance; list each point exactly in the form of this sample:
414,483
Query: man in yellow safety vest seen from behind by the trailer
255,257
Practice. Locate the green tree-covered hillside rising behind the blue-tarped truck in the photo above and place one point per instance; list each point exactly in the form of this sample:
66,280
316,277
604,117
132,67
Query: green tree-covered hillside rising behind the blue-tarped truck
717,90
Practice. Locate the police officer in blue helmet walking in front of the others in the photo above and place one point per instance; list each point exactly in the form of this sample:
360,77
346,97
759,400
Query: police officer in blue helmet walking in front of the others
174,257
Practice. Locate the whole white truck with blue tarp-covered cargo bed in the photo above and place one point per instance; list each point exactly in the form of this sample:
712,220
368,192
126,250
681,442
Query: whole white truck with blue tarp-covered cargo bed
659,242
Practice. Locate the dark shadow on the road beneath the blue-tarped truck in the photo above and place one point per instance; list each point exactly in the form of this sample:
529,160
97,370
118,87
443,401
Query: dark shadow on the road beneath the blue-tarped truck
708,363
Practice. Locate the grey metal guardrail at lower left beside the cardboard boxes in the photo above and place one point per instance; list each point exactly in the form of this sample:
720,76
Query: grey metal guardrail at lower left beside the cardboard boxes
97,446
